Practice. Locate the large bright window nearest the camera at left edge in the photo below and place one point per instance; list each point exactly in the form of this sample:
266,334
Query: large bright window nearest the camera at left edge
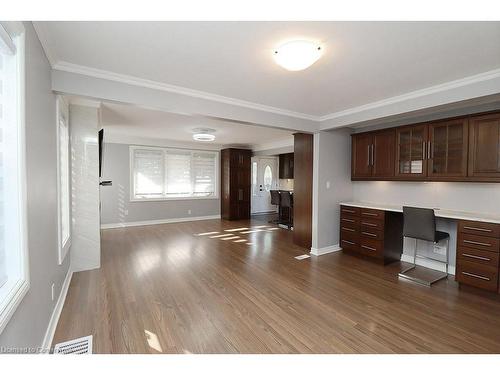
14,281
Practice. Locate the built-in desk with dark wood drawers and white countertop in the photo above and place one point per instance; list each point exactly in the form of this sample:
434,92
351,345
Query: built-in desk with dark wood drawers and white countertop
375,230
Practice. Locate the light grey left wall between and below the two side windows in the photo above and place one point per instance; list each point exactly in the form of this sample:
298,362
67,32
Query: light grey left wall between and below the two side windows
26,328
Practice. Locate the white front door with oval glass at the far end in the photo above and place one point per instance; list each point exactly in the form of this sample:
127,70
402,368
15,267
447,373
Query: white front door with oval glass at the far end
264,179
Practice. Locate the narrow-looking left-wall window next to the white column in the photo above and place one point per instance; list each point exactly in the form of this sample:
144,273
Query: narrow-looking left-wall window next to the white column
64,203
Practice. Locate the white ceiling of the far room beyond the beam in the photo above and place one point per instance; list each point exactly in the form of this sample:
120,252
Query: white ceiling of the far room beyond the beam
132,122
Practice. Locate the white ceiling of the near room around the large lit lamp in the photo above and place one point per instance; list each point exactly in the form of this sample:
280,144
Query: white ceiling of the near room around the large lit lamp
363,62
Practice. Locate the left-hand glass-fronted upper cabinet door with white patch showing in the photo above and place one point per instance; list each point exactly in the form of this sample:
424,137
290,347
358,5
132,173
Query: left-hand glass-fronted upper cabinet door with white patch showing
411,146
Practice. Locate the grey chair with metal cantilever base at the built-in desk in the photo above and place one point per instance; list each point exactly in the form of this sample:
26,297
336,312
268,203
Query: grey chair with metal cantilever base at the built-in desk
420,224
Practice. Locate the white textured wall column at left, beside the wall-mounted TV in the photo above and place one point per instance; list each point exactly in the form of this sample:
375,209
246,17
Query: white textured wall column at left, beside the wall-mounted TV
85,241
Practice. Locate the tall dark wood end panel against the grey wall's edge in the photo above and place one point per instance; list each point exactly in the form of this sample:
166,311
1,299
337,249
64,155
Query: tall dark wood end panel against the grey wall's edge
302,192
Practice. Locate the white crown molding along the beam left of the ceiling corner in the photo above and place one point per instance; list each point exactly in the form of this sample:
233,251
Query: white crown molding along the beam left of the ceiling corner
132,80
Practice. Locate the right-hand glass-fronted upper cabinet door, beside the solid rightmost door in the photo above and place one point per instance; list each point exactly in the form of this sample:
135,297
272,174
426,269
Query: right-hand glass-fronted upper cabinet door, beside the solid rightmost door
448,144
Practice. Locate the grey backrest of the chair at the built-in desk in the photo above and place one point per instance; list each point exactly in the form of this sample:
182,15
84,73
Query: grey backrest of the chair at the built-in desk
419,223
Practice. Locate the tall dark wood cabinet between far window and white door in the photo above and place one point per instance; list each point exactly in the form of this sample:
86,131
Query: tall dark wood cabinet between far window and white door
235,184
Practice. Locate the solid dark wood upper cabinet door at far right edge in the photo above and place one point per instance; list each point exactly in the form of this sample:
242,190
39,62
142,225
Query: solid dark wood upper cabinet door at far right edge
484,146
